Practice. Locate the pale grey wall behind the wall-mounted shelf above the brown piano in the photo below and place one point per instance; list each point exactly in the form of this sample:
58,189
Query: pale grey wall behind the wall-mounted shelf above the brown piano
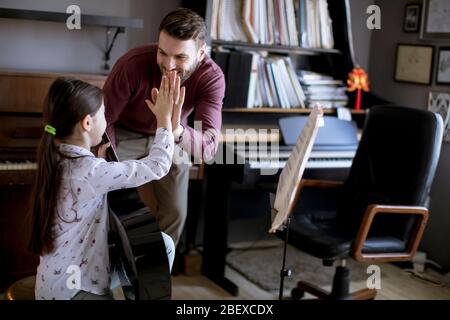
50,46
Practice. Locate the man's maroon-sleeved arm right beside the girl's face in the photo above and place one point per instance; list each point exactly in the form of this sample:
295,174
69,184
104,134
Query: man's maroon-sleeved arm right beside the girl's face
116,93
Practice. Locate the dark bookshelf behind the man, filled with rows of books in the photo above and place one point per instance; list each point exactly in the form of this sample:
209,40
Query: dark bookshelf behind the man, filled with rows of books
335,61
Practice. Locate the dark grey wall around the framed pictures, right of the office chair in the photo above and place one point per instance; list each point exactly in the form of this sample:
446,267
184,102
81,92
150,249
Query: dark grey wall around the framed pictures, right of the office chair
382,63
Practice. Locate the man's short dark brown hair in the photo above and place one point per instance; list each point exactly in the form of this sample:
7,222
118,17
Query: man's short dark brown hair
184,24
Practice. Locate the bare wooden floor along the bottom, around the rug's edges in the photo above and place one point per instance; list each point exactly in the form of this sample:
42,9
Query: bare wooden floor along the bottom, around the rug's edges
398,285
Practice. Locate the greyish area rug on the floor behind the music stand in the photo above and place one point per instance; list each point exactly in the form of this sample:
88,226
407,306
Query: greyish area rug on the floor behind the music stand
262,267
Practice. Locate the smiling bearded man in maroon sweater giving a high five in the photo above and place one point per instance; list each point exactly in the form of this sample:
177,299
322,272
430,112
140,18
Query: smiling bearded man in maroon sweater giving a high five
131,126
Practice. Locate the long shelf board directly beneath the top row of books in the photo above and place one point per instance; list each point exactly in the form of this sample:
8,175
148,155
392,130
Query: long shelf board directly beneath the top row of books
272,48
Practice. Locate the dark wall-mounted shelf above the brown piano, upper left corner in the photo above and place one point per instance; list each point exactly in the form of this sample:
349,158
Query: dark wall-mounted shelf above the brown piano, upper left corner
86,19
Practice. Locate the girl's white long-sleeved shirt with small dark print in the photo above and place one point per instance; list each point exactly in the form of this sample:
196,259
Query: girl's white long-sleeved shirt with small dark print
80,260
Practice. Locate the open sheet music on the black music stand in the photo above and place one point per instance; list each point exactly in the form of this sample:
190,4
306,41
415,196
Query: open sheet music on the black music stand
293,171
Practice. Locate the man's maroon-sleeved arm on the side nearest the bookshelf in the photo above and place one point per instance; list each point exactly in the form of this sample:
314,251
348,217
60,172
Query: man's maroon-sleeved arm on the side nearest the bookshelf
202,142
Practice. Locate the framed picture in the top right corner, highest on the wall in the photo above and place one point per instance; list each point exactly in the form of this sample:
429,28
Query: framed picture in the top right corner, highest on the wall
436,24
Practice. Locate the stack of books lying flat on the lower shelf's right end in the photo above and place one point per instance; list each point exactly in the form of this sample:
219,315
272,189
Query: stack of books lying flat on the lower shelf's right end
323,89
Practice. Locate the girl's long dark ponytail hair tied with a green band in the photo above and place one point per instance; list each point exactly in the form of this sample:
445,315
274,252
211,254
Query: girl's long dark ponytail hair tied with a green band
68,101
